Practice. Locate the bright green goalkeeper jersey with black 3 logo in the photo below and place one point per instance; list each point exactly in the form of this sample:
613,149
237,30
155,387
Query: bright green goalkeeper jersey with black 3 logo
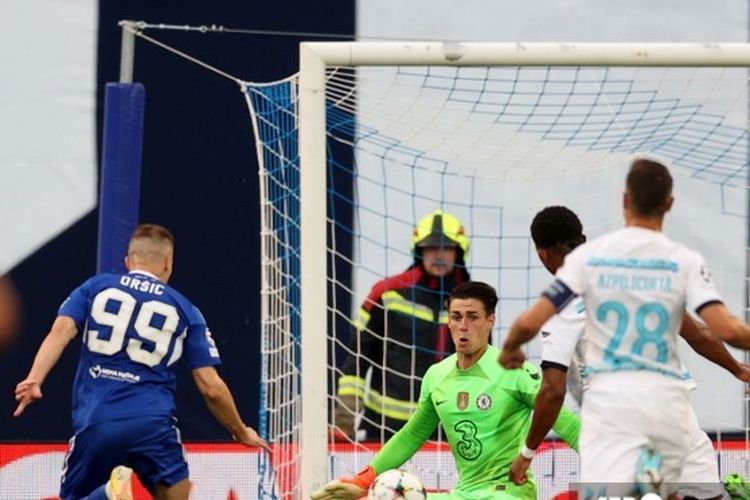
486,413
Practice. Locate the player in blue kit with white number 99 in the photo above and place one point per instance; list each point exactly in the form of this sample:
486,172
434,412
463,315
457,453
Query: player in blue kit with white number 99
135,328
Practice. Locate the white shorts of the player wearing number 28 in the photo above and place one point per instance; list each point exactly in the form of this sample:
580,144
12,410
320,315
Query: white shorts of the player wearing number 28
622,414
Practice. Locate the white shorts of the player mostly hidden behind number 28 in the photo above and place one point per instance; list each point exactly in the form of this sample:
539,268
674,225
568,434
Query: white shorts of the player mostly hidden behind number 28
700,474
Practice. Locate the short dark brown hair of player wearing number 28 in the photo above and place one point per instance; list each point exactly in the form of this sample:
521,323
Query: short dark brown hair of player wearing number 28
650,186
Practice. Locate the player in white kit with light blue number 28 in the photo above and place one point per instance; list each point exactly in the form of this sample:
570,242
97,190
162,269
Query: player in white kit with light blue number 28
636,284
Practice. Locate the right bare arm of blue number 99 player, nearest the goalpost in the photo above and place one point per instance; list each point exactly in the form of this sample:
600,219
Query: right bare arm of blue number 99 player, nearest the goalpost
221,403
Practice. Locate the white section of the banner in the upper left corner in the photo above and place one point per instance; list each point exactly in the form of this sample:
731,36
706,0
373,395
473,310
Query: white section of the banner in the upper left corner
47,124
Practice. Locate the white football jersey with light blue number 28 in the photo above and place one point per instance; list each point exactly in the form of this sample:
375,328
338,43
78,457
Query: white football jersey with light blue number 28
636,284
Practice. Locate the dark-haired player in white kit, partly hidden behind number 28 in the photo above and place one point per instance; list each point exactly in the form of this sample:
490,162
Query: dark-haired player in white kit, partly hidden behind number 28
556,231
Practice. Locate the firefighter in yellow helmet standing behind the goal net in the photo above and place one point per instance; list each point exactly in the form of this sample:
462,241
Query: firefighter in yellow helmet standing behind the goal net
401,329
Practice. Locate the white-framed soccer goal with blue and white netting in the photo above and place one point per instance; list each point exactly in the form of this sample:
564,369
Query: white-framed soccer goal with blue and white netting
369,137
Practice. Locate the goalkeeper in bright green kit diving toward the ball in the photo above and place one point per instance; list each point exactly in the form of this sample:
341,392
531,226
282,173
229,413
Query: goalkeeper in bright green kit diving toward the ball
484,409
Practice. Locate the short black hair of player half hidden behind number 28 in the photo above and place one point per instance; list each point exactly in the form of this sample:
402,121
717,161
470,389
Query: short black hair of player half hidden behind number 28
557,226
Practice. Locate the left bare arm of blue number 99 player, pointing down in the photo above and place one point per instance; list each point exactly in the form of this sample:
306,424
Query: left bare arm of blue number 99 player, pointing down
30,389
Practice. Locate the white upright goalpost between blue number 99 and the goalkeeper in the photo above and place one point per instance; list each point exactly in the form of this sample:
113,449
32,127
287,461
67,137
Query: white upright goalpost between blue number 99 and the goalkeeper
313,278
